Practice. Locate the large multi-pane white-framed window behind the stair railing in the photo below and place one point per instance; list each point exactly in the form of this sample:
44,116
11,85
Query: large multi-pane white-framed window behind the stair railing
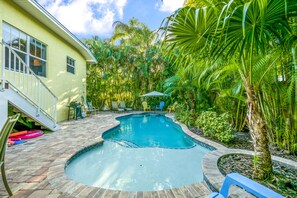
29,49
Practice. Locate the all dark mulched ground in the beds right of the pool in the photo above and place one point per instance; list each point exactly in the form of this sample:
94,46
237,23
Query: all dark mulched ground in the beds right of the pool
283,179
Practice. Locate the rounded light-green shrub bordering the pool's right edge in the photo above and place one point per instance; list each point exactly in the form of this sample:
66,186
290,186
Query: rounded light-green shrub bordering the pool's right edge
215,126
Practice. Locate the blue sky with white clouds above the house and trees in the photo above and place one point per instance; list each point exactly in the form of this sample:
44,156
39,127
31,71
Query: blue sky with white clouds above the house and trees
87,18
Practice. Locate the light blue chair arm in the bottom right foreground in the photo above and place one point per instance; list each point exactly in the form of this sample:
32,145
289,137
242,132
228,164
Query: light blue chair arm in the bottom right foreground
246,184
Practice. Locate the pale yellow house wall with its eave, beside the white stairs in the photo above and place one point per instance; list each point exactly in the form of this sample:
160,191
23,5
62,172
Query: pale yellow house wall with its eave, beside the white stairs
66,86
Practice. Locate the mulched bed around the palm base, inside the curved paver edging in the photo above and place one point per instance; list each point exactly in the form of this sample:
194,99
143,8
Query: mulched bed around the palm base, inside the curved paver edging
282,180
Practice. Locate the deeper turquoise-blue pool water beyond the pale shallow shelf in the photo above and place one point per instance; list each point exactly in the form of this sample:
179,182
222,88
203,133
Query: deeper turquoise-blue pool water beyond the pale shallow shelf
149,130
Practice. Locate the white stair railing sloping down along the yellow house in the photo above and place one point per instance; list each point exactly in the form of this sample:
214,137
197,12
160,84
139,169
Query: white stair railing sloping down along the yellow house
23,80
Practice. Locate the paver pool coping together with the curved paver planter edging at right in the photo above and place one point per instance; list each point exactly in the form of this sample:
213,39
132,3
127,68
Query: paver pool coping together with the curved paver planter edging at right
212,176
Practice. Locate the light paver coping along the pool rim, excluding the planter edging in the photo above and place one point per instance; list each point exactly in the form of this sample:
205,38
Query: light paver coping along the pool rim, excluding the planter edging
61,182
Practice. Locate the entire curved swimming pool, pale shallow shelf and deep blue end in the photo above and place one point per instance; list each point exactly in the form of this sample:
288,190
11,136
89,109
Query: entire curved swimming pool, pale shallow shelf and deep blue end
146,152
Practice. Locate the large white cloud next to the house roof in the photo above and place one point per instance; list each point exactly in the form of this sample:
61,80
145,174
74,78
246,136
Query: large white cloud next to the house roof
86,17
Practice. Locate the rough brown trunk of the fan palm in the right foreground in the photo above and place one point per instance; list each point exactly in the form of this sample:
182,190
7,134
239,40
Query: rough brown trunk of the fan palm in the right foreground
257,127
